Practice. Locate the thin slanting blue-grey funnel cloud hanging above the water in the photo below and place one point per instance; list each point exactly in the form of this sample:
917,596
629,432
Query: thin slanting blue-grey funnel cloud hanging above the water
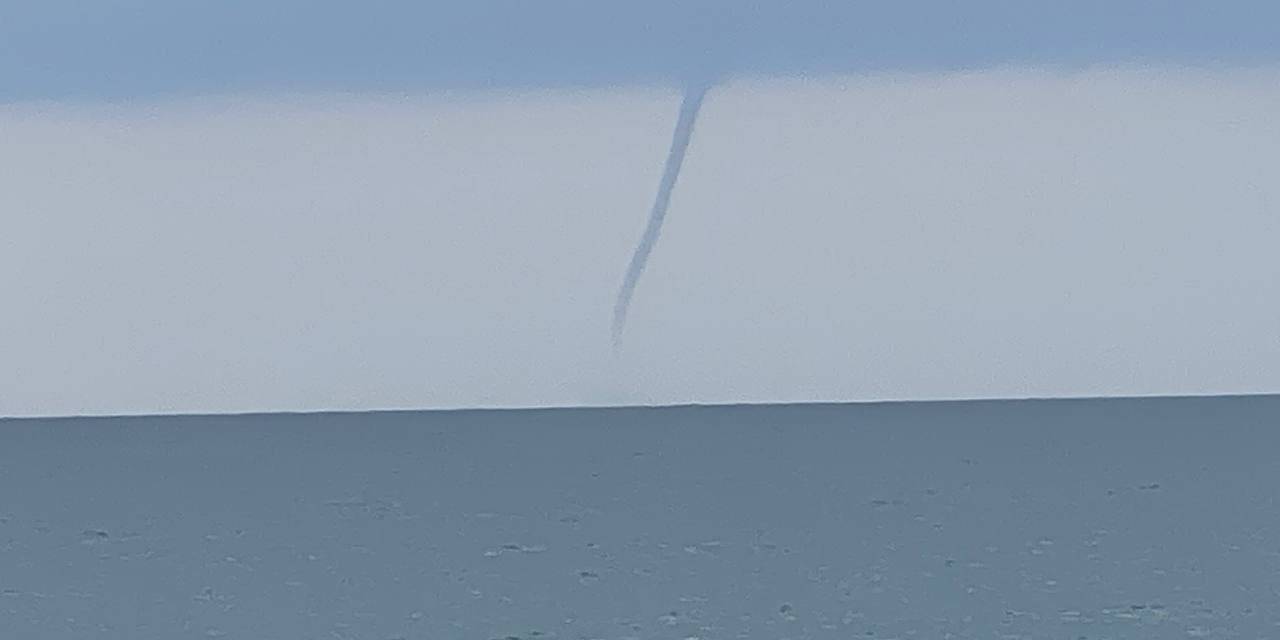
689,108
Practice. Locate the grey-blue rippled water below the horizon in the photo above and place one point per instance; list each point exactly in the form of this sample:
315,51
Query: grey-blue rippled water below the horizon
1037,519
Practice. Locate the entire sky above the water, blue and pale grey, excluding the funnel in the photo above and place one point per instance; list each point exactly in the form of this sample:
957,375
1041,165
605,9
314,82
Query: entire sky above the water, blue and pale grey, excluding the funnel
226,208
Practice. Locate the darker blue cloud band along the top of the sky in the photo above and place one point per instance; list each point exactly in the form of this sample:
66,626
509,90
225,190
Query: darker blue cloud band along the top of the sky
125,49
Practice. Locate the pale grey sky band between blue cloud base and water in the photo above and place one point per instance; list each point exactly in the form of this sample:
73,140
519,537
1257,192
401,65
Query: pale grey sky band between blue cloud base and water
988,235
